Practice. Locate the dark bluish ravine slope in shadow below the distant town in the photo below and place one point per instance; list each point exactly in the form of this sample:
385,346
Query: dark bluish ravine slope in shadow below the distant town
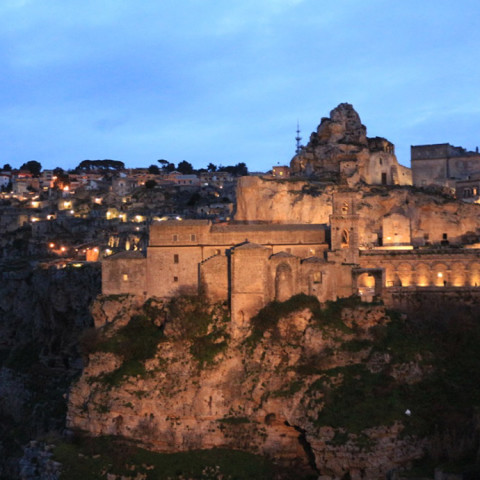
42,314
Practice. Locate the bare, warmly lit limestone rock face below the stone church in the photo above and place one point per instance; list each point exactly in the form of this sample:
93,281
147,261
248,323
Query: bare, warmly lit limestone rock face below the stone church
250,397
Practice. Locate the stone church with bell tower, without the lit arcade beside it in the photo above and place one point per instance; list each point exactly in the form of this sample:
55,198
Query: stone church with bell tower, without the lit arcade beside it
244,265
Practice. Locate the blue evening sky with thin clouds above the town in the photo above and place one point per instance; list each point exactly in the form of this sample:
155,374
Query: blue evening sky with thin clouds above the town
225,81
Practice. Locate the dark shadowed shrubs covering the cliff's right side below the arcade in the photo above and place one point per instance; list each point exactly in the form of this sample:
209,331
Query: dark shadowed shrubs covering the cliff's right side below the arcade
439,345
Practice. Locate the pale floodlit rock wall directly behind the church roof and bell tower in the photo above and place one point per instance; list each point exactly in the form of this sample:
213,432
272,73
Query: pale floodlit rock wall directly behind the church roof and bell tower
296,201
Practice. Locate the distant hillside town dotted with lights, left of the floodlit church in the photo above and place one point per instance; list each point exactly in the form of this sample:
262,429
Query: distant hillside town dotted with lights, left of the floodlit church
101,207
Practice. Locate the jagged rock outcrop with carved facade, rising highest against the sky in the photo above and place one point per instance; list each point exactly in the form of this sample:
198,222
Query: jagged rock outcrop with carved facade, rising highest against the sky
341,151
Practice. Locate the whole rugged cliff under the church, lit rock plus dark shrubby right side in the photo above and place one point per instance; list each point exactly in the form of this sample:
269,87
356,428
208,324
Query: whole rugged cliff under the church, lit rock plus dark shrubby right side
343,391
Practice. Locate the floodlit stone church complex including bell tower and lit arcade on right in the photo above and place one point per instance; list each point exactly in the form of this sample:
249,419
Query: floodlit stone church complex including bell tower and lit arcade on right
249,265
